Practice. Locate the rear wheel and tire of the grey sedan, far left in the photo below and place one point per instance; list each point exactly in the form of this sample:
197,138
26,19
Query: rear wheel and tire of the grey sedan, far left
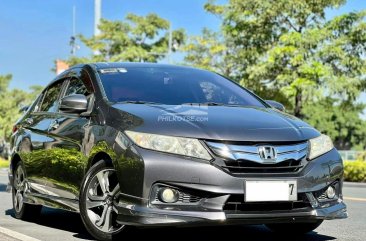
23,211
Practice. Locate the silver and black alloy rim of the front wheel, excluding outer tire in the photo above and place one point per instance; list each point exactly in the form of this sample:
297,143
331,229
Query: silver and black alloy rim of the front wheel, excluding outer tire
101,201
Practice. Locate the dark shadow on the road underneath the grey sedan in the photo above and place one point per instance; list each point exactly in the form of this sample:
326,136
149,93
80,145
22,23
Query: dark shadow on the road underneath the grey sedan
71,222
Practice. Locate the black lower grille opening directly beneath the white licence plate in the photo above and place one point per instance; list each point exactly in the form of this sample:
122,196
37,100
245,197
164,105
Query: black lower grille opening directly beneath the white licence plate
236,203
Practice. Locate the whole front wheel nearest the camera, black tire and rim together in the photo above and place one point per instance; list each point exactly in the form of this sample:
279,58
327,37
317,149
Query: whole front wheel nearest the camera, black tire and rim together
98,200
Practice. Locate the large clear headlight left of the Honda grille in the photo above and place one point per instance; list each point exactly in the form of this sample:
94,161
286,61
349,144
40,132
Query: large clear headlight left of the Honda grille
176,145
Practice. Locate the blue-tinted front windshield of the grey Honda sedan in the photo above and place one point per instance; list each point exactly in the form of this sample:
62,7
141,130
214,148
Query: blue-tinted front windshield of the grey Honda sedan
172,86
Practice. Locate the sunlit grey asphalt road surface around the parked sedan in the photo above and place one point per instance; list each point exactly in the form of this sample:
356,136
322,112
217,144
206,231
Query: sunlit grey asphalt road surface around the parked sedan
58,225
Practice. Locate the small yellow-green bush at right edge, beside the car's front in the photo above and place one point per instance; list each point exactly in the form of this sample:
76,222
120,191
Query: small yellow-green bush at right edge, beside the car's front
355,171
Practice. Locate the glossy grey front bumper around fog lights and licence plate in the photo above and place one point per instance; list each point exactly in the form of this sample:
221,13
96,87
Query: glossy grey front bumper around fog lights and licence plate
137,207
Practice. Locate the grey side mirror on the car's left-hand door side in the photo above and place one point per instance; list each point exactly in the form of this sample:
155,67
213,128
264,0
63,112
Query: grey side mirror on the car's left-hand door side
74,104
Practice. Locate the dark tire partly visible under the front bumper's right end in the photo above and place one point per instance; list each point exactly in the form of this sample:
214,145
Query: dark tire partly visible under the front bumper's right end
293,228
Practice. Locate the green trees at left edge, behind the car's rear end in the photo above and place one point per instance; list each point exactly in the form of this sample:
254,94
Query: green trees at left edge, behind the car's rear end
11,102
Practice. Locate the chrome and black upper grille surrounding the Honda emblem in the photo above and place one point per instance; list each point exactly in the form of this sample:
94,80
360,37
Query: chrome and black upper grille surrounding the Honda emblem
241,159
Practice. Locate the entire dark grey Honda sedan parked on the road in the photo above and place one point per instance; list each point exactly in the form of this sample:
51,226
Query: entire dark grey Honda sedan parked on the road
154,145
